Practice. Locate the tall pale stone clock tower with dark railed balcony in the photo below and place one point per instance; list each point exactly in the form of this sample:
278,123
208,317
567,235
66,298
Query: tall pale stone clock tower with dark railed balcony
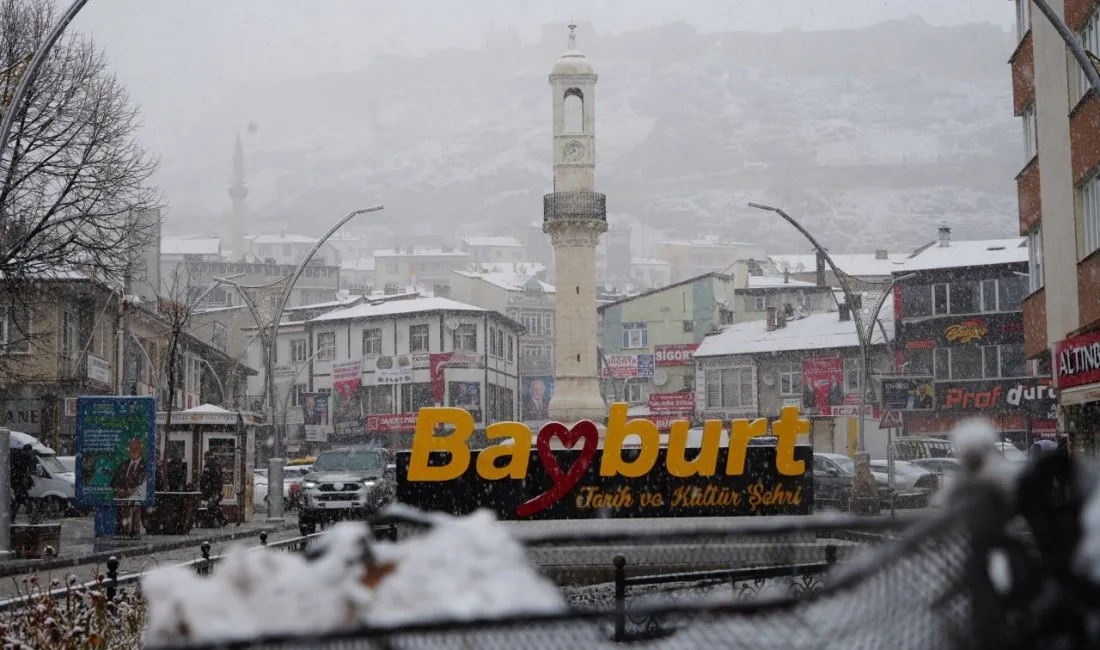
575,217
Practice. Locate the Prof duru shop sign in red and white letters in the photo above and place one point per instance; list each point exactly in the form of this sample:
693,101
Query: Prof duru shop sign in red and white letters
1033,395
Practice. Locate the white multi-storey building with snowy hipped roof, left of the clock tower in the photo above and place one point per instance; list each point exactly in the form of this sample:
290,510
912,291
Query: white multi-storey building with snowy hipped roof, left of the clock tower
412,355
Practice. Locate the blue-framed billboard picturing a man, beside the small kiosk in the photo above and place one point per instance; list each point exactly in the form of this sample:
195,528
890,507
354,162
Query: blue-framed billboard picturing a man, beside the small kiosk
116,450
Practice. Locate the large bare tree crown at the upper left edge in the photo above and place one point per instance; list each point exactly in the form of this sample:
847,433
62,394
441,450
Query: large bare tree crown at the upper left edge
74,174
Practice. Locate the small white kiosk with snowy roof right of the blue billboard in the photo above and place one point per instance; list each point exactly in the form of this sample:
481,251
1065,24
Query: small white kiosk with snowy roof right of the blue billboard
211,428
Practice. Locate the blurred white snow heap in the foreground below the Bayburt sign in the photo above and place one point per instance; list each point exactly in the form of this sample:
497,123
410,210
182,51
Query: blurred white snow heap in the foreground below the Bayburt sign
466,567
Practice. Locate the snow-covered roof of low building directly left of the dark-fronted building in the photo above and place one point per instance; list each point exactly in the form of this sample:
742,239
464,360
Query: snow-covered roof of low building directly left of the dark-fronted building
817,332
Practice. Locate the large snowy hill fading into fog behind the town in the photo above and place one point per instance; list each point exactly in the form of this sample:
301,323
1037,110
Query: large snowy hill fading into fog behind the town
872,137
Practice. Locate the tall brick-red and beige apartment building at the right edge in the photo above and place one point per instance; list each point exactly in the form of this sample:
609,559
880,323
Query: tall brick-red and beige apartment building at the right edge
1059,191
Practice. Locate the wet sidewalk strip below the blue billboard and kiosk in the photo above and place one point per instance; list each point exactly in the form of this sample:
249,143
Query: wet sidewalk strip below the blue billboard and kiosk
80,546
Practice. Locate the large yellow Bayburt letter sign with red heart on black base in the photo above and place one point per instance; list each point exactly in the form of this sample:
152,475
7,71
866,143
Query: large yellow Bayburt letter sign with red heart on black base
524,477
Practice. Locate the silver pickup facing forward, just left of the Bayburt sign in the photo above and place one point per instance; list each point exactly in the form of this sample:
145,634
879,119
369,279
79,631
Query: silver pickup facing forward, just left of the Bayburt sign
346,483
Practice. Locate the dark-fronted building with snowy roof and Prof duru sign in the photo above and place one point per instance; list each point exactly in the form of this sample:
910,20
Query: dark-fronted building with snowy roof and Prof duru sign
959,305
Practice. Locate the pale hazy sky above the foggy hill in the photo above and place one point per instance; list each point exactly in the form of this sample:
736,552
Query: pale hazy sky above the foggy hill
179,56
